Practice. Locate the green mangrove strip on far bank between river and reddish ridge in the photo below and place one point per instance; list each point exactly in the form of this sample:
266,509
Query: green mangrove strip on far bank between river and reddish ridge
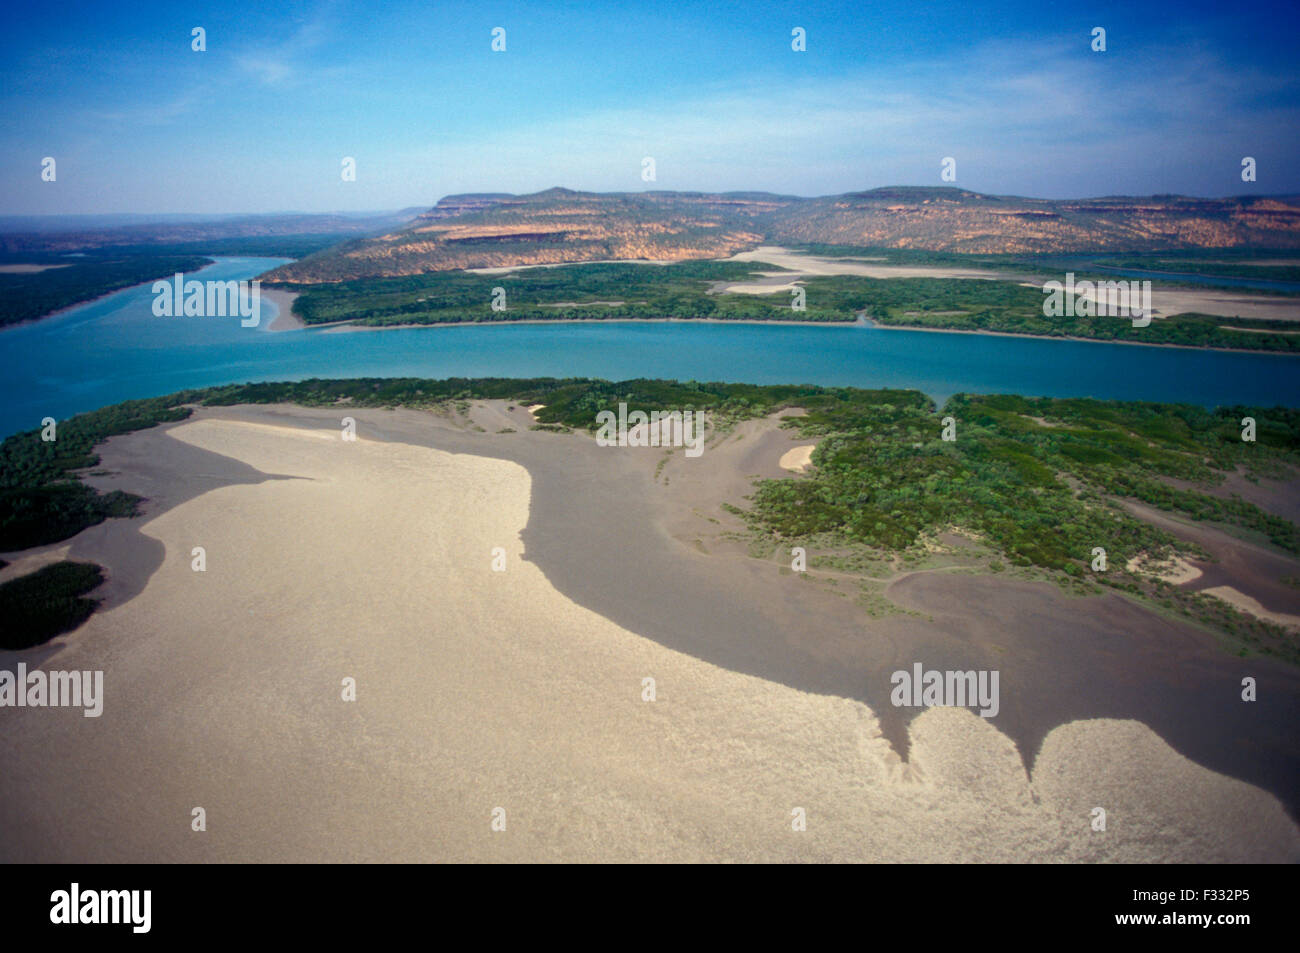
692,291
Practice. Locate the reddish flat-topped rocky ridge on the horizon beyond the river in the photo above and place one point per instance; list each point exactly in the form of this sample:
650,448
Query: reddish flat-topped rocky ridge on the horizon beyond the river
558,226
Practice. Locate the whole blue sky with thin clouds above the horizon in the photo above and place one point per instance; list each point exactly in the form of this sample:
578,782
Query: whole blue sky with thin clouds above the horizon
140,123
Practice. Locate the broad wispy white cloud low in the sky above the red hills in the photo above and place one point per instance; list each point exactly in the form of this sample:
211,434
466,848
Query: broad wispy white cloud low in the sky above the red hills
1016,123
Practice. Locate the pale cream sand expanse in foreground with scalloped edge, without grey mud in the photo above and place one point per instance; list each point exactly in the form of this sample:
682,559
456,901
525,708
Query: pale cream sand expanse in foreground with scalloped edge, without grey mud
479,690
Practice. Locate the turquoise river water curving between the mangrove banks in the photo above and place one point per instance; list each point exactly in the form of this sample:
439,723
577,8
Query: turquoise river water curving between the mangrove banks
116,349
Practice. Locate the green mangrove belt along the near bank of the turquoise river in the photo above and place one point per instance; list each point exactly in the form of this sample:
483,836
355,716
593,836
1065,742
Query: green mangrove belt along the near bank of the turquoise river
1035,482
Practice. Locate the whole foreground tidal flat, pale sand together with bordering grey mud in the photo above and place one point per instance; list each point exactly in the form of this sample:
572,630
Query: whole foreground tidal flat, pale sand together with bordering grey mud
480,690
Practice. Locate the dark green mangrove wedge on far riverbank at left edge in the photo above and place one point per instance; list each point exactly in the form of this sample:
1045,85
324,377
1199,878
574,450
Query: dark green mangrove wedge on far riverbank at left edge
28,297
